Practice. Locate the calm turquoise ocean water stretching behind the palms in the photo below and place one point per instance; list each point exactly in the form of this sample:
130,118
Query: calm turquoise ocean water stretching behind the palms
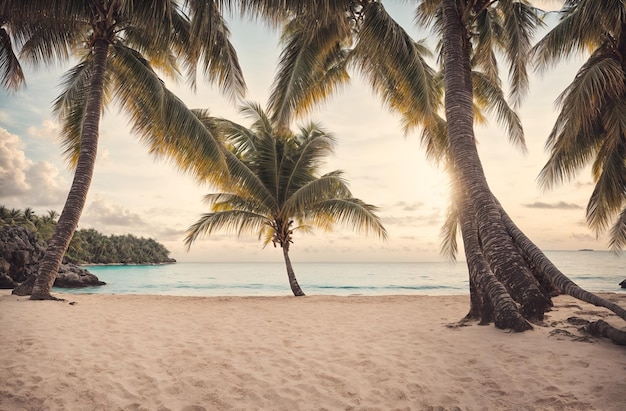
592,270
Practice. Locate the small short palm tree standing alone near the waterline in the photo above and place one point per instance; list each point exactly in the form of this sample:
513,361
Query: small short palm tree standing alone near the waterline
275,189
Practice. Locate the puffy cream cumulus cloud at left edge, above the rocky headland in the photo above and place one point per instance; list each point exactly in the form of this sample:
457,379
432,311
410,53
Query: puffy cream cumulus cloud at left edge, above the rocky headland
23,182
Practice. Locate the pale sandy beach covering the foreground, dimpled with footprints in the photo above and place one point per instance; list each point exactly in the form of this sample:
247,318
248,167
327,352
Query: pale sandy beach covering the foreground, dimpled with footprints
108,352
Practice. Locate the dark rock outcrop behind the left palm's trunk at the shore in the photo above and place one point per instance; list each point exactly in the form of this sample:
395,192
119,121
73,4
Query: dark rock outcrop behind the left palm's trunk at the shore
20,253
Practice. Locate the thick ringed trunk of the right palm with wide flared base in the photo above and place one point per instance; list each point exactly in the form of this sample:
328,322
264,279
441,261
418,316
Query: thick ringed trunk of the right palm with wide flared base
506,269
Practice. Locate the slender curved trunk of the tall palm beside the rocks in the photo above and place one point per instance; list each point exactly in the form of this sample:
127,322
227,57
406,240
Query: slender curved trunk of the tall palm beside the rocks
68,221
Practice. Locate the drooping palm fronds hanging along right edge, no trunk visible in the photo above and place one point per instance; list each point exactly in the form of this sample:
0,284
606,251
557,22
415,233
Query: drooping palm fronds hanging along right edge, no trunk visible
590,127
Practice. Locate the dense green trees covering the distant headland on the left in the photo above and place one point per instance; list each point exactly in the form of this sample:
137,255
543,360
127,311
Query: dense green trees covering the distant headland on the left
88,246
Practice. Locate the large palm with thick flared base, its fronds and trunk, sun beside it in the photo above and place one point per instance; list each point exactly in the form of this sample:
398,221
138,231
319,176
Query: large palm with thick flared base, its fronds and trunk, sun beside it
511,280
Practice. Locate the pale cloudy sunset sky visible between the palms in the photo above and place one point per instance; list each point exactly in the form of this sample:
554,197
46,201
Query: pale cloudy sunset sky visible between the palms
133,193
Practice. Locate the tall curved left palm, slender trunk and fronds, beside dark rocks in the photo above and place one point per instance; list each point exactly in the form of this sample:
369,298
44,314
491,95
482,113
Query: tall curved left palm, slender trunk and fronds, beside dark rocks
121,42
